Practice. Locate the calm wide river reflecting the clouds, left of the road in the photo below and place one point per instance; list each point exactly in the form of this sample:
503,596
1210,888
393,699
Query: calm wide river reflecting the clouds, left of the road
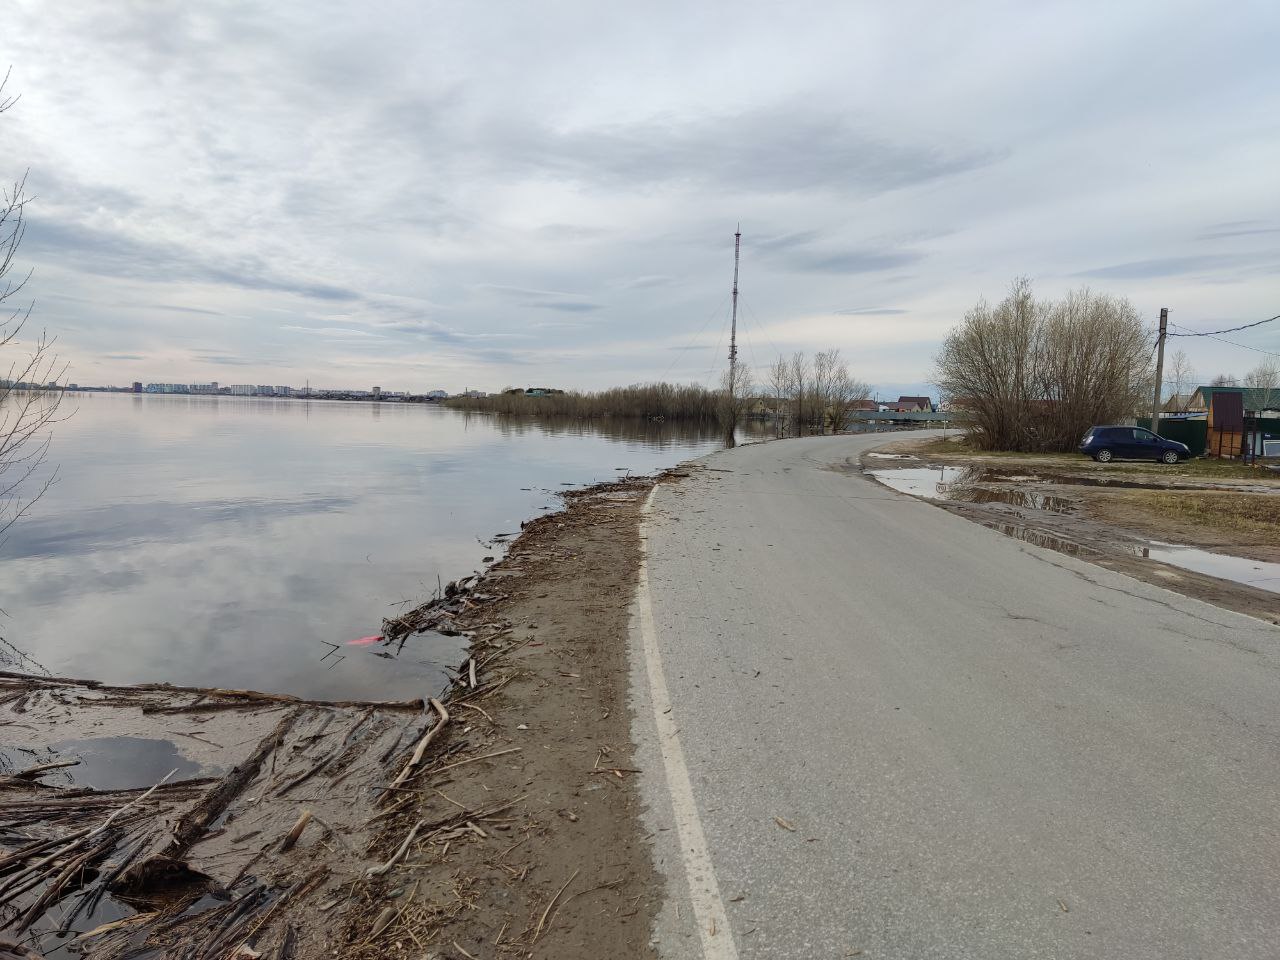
227,542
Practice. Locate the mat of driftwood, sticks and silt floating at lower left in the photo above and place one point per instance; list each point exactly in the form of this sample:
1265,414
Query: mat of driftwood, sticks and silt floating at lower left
213,862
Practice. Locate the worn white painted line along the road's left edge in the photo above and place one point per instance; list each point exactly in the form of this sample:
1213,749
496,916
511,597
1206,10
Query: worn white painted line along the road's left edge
703,890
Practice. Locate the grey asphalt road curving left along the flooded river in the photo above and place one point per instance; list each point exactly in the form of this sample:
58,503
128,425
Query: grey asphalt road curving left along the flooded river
985,749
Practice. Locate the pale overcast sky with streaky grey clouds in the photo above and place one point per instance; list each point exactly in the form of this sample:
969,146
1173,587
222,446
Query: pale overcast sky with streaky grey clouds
423,195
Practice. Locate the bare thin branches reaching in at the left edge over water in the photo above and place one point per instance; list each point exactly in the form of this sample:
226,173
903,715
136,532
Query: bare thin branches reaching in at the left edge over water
30,391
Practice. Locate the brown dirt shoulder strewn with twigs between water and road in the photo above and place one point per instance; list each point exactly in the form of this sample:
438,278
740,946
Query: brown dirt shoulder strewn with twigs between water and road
545,854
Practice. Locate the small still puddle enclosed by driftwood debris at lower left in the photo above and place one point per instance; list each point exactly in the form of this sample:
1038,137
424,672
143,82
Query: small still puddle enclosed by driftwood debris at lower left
106,764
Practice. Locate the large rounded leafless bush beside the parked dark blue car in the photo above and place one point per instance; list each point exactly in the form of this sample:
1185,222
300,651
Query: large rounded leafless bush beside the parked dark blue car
1036,374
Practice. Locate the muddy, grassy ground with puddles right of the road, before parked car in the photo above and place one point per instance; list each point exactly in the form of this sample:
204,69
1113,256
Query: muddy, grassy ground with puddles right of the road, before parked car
1113,514
